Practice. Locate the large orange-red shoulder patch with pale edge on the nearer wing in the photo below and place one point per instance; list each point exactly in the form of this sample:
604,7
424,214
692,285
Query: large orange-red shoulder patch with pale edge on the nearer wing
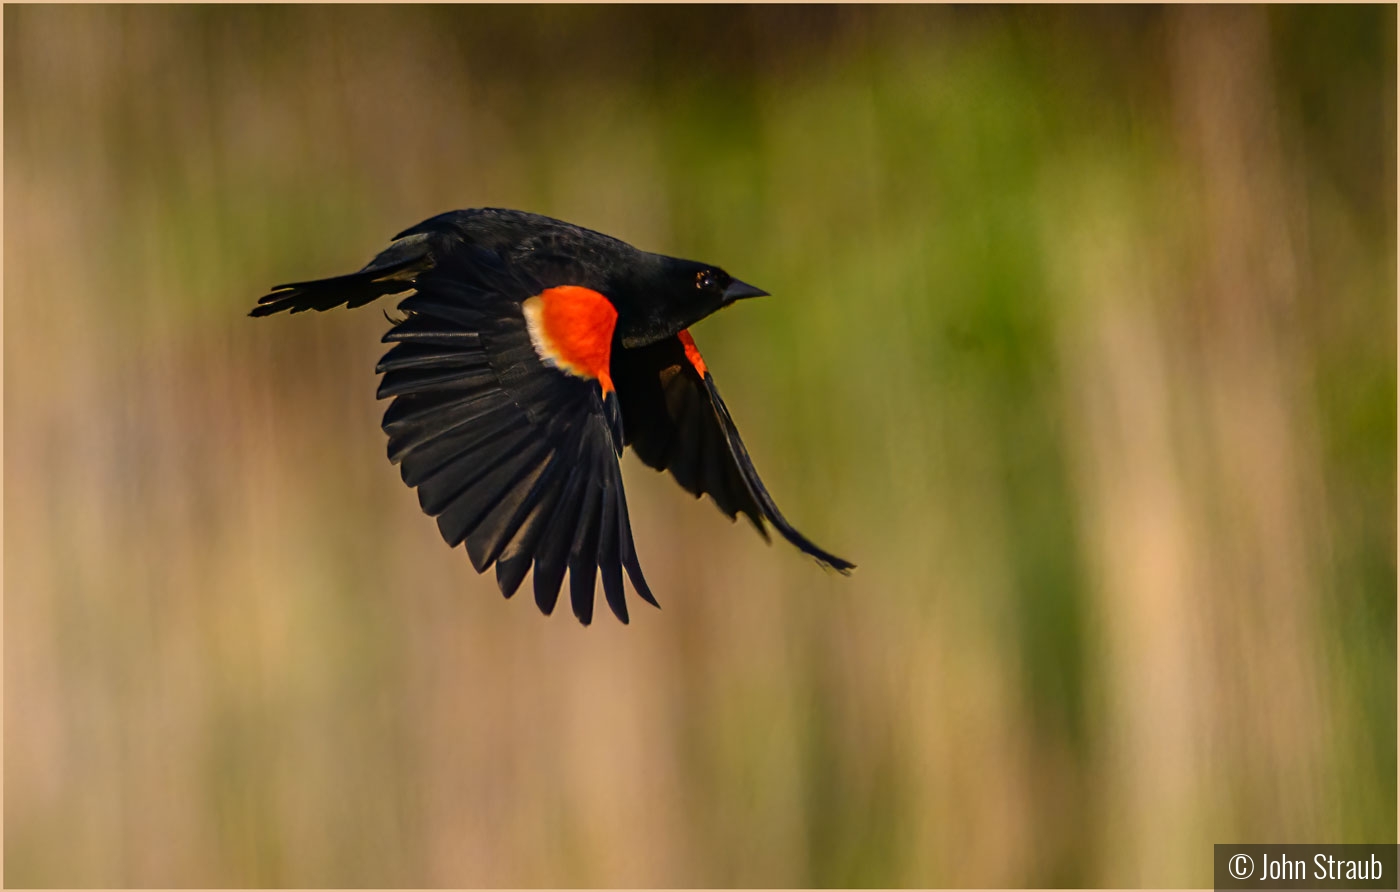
572,330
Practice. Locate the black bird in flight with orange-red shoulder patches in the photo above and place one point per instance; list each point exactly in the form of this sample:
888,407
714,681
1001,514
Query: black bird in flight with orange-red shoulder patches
530,354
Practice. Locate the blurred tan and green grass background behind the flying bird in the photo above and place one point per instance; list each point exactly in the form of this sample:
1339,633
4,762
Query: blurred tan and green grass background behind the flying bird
1083,348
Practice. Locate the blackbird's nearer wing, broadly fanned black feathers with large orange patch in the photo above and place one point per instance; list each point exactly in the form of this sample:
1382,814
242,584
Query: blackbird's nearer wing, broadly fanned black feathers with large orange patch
512,449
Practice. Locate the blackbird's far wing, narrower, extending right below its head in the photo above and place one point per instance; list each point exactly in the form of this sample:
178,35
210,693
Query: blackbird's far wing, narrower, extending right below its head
675,421
